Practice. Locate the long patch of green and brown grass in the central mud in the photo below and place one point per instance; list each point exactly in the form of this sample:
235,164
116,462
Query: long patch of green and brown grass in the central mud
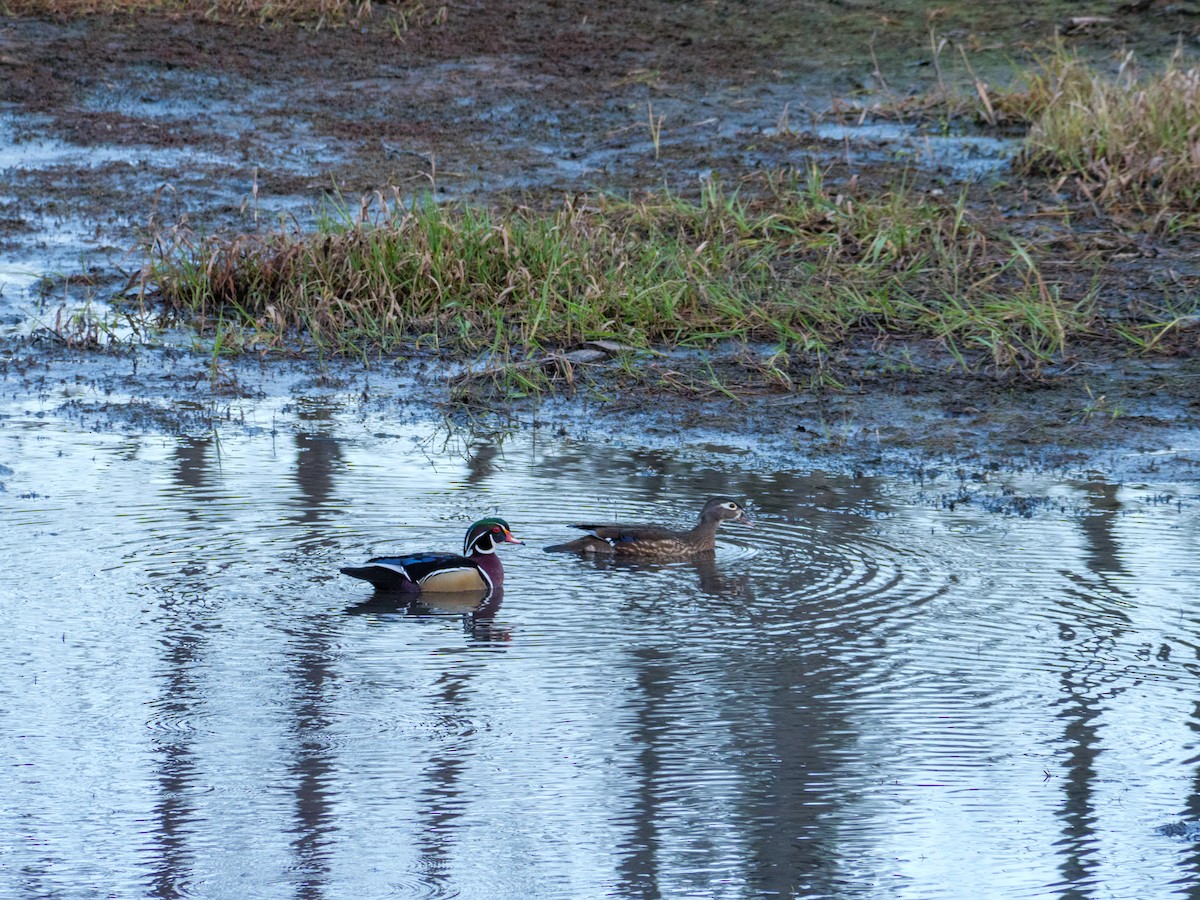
795,265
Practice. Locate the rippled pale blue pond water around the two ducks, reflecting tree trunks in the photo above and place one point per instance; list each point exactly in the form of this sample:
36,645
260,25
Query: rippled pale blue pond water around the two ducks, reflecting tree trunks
887,688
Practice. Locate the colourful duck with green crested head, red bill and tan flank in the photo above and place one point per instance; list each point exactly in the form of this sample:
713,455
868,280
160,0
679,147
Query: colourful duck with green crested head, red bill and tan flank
477,569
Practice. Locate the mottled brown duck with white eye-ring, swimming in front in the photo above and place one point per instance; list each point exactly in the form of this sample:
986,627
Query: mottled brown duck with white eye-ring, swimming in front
652,542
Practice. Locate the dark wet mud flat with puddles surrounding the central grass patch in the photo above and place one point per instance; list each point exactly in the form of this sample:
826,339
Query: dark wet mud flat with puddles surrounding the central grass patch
112,128
